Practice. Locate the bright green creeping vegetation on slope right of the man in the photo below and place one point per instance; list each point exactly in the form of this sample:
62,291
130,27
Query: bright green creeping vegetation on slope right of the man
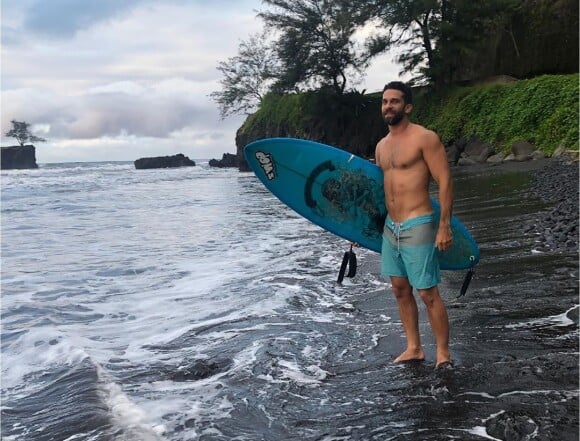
542,110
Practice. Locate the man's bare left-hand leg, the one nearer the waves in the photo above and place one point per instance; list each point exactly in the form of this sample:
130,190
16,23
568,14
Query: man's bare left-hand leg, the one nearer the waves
409,317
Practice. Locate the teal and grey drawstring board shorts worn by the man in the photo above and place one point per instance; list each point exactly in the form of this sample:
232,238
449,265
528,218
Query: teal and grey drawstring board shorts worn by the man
409,251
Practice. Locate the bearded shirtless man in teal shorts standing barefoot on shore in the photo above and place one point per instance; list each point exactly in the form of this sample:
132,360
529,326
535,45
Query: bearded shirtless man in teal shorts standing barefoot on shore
410,155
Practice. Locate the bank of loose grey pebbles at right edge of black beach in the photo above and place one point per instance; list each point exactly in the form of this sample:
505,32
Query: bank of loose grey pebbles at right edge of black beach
557,185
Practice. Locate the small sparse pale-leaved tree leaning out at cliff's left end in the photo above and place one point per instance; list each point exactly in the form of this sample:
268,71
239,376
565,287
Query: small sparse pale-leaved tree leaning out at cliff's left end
247,76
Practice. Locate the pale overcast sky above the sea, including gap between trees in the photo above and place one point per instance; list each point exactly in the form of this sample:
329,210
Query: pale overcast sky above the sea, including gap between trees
117,80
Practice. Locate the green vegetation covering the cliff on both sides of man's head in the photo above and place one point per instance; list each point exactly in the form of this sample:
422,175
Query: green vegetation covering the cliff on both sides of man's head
542,110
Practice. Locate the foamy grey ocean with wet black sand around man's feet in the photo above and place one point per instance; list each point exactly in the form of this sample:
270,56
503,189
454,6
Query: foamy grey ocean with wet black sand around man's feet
190,304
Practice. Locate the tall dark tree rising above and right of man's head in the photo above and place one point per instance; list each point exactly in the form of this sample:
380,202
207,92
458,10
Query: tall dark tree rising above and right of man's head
437,34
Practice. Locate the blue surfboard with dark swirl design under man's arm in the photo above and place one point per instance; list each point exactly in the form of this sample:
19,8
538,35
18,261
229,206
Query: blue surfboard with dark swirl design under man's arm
340,192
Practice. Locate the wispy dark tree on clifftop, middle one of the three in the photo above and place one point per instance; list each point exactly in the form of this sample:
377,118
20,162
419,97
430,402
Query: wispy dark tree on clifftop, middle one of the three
315,46
